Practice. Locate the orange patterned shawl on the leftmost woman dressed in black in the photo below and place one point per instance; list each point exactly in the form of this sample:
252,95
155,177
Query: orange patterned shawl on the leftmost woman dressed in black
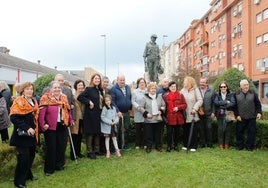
21,106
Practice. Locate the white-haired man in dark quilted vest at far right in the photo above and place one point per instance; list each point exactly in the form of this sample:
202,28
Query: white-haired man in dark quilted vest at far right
248,108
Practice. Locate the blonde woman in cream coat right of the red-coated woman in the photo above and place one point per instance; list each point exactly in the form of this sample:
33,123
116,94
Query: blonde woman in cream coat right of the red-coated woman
194,101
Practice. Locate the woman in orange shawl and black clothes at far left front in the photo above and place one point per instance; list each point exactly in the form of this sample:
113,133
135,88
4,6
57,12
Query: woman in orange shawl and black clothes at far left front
24,115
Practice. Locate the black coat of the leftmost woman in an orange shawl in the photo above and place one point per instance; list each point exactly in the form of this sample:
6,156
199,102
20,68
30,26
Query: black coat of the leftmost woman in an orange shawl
23,122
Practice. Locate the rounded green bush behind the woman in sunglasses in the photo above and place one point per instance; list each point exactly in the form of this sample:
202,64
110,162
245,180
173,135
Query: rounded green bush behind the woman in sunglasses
232,77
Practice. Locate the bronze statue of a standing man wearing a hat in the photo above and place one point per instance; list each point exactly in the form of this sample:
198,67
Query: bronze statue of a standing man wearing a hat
152,59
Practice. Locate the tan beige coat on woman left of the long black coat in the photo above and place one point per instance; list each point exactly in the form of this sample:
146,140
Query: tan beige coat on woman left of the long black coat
79,115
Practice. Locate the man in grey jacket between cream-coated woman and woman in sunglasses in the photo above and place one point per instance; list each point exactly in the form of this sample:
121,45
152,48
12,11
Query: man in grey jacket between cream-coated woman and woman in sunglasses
205,128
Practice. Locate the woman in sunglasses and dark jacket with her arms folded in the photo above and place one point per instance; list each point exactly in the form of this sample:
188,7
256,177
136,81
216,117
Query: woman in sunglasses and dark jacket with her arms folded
224,101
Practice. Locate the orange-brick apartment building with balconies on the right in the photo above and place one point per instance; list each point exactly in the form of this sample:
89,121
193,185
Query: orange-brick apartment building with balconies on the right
232,33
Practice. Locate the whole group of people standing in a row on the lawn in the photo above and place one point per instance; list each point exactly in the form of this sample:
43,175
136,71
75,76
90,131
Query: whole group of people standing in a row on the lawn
101,112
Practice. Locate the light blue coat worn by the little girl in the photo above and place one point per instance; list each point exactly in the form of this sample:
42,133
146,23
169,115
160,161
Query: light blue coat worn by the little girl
108,115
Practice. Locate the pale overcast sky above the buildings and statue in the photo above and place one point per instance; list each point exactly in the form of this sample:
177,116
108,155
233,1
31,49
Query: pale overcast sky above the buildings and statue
67,34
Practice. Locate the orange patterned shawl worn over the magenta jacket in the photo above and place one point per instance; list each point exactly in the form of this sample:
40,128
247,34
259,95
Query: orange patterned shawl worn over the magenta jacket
48,99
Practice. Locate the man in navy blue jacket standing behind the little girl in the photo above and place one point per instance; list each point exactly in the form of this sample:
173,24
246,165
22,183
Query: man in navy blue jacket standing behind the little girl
121,96
